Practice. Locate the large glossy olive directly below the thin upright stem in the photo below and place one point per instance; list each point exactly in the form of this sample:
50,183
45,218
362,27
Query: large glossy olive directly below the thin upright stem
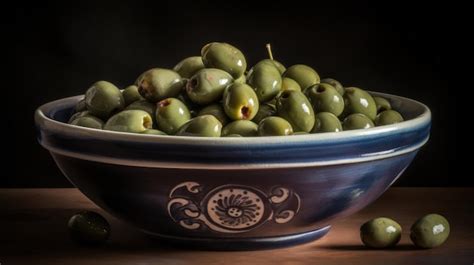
266,80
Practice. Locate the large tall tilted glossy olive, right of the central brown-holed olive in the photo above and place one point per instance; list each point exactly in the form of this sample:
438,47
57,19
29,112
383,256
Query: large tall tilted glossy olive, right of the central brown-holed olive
296,109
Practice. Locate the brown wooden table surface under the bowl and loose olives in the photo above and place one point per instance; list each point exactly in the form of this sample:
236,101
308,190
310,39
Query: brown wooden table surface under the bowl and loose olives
33,231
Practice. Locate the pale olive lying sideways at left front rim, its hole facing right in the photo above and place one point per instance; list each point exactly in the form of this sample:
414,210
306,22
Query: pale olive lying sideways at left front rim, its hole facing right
134,121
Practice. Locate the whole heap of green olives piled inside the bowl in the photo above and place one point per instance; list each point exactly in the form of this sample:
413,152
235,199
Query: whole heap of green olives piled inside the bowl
215,95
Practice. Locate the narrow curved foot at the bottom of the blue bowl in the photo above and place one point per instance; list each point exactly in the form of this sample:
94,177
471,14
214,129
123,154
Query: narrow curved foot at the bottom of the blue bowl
235,244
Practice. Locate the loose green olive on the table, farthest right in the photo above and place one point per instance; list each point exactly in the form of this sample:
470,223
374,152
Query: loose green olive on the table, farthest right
430,231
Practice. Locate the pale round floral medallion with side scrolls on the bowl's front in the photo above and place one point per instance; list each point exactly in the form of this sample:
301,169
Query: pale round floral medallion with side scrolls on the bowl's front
230,208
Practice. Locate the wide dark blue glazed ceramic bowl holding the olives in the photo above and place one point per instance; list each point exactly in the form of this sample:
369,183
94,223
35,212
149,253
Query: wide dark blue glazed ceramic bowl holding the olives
233,193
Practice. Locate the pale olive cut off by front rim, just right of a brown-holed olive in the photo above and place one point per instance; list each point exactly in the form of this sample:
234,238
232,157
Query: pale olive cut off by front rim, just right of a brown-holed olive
202,126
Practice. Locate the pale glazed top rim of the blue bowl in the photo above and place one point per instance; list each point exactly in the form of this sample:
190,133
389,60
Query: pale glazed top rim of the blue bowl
46,122
